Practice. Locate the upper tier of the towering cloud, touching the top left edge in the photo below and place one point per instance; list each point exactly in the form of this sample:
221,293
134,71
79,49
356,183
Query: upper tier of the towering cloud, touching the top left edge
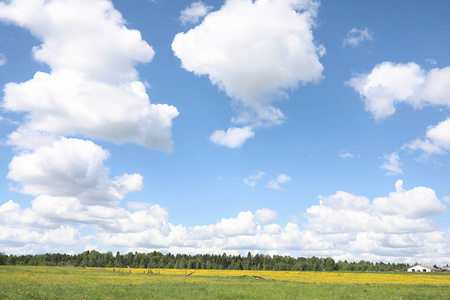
80,35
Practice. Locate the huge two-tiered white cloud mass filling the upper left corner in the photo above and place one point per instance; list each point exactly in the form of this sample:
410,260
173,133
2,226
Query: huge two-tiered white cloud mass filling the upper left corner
93,86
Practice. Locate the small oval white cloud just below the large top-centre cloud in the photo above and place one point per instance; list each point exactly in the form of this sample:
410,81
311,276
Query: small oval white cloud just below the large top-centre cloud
234,137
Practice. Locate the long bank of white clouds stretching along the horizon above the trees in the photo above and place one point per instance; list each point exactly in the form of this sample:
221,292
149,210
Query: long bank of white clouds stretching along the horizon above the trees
339,226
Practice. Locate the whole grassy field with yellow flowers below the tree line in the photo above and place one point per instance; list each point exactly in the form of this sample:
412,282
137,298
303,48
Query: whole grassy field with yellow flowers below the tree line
77,283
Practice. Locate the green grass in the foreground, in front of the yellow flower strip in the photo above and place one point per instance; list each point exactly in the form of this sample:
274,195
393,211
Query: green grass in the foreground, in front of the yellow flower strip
18,282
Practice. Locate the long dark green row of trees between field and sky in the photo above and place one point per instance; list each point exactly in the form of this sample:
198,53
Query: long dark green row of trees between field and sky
200,261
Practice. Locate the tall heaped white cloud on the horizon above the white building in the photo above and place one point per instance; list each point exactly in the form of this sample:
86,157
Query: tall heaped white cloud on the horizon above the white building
392,228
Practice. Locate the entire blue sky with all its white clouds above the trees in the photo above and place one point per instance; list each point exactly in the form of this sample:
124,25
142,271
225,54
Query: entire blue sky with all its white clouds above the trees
289,127
